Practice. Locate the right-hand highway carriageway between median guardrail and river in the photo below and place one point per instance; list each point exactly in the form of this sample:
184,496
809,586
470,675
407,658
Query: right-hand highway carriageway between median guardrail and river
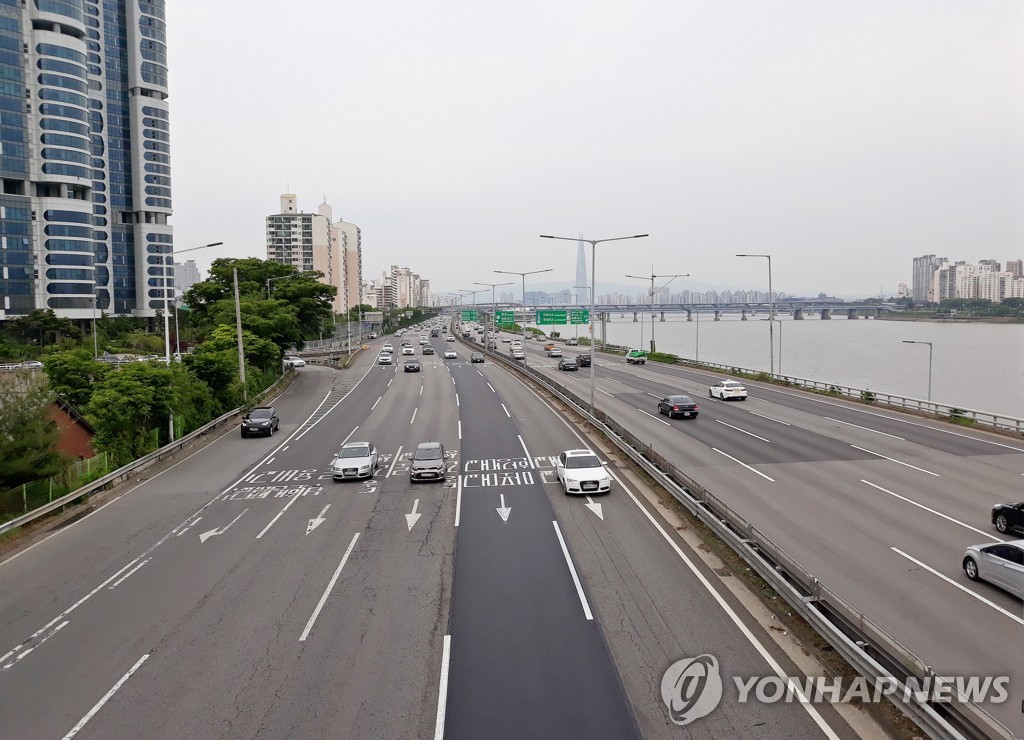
878,505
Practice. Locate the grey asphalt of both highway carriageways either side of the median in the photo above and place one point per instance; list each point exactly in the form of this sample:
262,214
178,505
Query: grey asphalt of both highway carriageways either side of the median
238,592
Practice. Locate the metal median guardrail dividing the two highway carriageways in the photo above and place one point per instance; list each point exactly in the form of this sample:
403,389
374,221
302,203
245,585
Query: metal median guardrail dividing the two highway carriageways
870,650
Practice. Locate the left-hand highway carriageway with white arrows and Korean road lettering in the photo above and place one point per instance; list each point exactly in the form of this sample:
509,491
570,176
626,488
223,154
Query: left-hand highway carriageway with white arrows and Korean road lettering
238,592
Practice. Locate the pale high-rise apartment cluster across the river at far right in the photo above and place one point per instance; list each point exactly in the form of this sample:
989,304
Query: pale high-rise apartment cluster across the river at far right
936,280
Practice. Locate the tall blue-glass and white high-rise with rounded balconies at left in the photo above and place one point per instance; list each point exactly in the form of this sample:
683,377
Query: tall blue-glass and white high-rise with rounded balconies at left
84,159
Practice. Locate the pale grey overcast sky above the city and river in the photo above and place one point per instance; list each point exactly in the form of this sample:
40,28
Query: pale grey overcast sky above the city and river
843,138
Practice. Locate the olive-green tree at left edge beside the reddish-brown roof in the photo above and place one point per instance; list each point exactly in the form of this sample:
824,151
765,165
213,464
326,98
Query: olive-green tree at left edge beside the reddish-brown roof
28,434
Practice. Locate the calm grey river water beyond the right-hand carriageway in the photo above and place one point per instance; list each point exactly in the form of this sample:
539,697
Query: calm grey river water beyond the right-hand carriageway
979,367
